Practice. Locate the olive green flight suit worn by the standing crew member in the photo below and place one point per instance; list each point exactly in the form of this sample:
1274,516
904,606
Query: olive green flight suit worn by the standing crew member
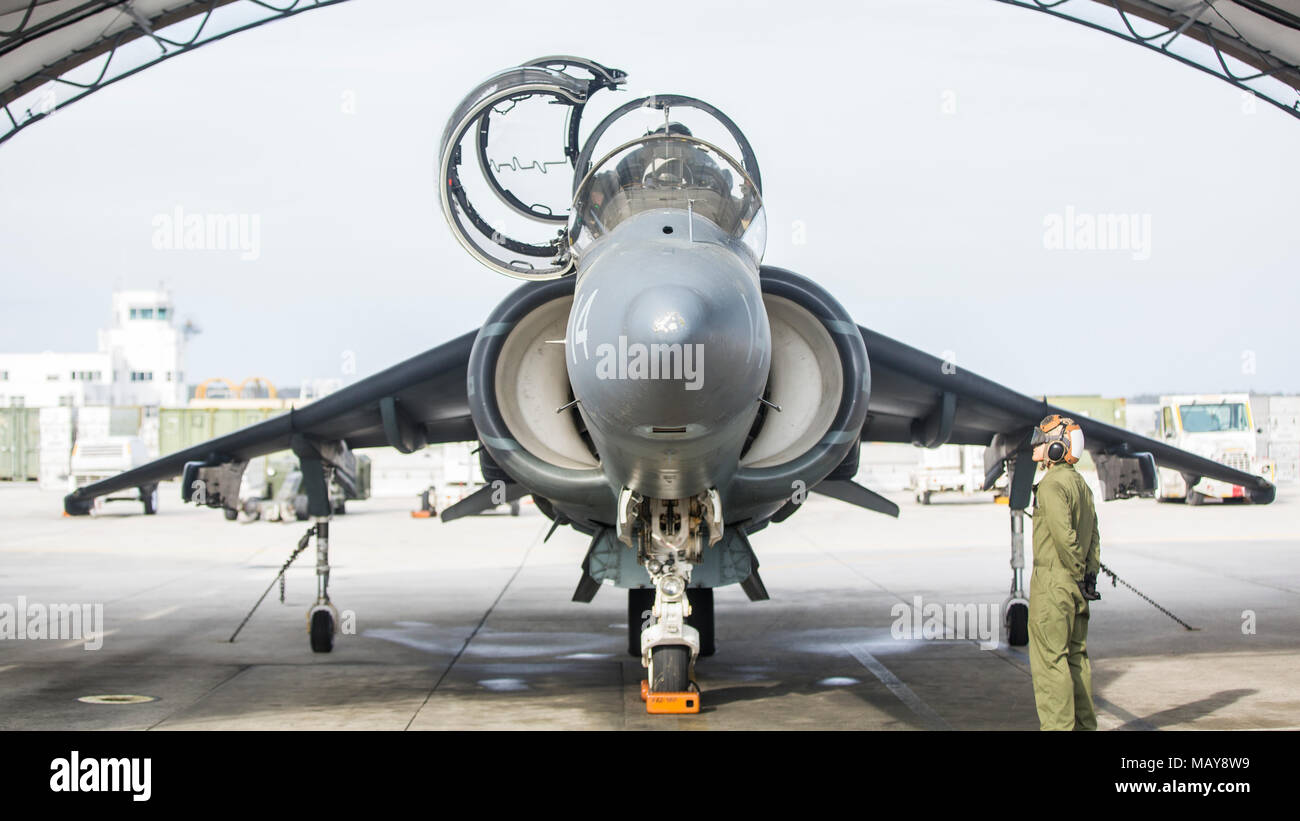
1065,548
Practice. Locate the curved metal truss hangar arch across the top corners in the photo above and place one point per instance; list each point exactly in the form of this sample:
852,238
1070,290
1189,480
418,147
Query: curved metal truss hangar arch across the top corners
55,53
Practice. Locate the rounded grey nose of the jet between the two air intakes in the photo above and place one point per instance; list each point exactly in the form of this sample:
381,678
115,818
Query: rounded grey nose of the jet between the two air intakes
669,351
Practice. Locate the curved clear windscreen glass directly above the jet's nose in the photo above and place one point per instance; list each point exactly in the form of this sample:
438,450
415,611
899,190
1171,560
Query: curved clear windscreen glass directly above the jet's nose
669,171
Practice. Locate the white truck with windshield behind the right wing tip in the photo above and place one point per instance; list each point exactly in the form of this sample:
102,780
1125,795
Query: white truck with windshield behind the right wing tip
1219,427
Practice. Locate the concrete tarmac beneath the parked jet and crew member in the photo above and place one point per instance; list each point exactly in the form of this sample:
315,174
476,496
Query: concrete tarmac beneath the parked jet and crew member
470,625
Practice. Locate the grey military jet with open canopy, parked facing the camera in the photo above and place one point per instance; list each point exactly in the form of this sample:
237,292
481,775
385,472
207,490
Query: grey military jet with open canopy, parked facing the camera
653,385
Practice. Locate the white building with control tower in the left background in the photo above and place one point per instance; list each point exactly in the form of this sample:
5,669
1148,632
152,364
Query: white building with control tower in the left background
140,362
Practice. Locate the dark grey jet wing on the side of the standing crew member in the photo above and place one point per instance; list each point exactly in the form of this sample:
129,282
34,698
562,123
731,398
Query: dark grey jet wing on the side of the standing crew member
929,402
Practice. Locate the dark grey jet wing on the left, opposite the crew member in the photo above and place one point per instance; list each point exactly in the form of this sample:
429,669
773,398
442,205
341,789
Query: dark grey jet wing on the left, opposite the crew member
419,402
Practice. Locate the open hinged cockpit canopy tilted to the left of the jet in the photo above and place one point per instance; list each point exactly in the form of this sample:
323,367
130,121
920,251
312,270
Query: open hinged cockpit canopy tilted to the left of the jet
506,194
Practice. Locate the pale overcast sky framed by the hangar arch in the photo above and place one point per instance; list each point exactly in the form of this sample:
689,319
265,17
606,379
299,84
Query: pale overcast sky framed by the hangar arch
924,146
